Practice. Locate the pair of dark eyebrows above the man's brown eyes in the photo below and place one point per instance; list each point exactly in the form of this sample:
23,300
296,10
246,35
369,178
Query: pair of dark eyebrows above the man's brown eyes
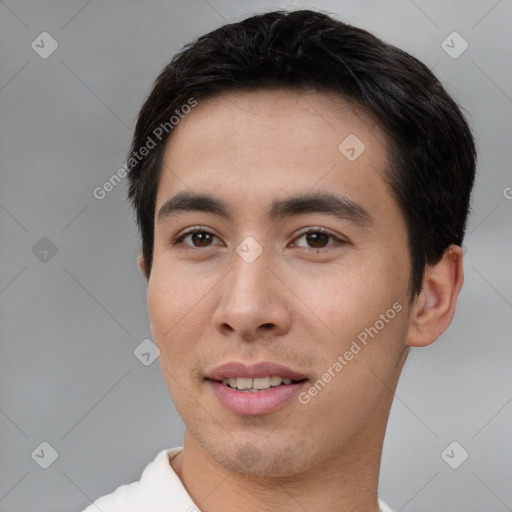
332,204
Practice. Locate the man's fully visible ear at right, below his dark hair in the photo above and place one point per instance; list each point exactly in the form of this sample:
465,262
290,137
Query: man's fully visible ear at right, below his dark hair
434,307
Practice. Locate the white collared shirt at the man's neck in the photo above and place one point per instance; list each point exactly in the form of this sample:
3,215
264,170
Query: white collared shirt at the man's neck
158,490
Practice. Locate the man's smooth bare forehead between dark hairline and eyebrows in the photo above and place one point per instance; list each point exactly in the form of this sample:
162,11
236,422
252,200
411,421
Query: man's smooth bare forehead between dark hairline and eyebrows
258,145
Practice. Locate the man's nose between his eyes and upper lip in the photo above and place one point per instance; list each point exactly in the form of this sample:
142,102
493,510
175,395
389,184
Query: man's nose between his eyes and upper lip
254,303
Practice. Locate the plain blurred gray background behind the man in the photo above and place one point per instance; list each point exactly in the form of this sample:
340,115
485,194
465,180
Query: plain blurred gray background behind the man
70,322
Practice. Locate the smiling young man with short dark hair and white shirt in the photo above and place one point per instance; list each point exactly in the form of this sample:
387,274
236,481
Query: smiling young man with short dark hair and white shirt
302,190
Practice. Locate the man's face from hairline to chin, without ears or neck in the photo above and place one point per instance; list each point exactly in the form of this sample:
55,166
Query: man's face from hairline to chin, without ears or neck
283,296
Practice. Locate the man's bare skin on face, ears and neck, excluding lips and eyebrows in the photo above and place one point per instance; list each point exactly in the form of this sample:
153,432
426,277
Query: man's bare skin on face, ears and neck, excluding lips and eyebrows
208,306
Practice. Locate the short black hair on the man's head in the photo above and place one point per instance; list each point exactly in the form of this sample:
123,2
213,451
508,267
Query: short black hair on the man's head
432,155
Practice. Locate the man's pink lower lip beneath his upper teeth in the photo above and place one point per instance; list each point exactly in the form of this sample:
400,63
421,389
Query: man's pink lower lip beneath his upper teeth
253,403
